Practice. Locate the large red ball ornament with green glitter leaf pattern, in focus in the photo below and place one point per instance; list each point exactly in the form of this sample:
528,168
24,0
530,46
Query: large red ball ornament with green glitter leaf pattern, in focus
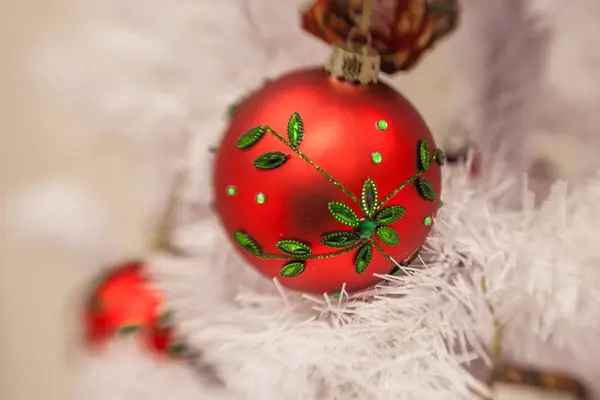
322,183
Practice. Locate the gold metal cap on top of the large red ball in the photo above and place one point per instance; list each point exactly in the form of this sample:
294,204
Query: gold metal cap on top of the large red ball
354,63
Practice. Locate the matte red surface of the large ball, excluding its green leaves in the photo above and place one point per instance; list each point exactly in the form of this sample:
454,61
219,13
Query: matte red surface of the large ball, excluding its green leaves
341,136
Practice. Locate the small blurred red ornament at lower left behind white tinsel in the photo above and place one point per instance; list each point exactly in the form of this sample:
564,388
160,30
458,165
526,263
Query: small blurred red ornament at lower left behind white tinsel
124,303
